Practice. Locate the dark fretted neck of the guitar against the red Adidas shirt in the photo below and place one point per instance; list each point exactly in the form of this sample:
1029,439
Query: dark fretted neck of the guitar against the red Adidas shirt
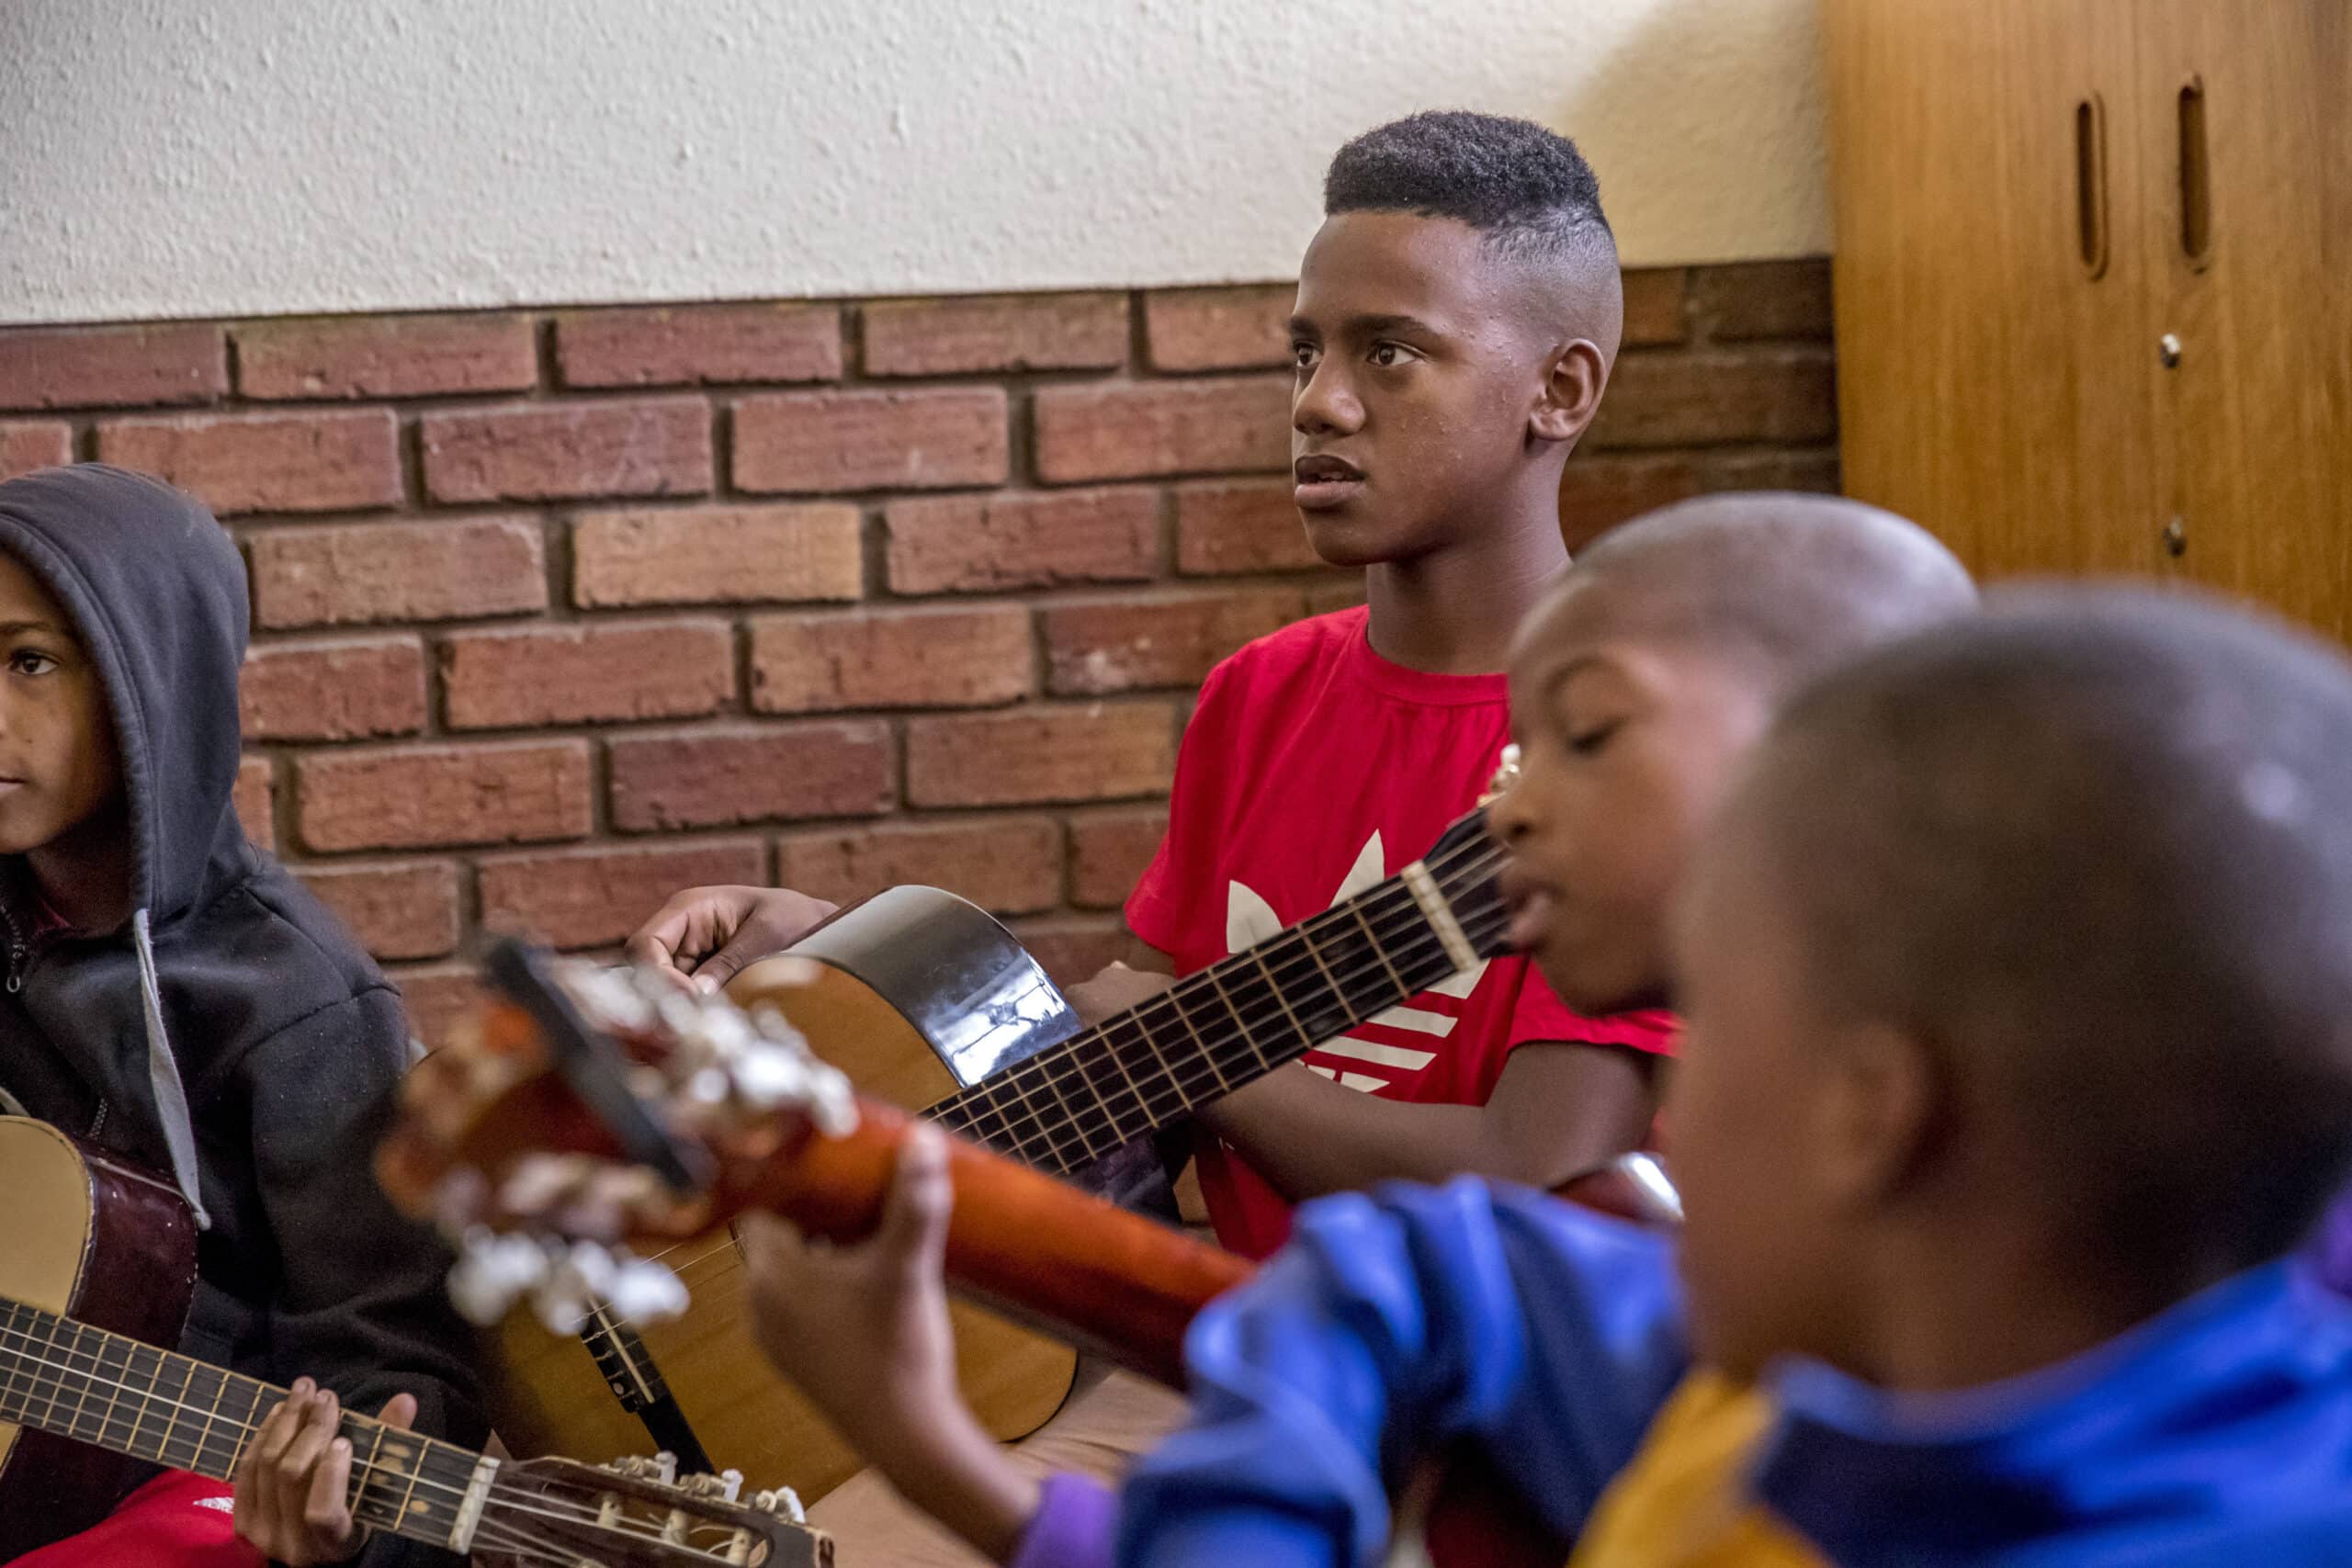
1243,1017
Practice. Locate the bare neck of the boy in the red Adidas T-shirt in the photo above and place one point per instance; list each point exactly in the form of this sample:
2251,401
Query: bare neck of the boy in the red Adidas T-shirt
1455,612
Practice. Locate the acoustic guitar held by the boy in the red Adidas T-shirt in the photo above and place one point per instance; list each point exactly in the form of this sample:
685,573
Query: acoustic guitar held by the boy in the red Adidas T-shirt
930,1005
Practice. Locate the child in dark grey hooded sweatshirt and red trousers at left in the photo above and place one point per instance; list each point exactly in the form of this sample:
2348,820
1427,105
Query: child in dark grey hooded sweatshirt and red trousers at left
178,998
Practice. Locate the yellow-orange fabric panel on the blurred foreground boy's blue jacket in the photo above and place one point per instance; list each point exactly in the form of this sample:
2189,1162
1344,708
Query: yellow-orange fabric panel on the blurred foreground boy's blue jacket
1685,1503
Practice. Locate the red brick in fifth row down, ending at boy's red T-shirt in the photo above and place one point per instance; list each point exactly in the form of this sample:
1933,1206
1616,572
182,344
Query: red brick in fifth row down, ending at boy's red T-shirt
1100,751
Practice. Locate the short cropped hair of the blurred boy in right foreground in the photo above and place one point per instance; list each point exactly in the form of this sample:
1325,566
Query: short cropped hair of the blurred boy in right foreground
2097,850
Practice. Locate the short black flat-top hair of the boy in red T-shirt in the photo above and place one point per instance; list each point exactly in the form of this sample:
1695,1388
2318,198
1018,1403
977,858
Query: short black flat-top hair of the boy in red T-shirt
1521,185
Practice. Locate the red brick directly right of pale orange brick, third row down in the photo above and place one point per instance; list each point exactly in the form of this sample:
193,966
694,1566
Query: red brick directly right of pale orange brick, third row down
963,544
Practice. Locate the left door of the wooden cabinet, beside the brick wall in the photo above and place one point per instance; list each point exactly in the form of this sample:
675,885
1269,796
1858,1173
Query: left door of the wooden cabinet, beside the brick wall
1991,304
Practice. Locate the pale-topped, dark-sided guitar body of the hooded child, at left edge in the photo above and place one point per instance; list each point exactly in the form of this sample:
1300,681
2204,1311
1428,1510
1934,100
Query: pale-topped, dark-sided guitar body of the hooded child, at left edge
112,1247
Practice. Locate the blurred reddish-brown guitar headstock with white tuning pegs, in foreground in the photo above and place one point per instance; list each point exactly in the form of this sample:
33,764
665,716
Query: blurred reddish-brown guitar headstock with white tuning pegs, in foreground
589,1111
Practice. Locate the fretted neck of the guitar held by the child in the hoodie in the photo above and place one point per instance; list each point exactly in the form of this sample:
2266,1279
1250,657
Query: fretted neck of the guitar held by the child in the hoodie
100,1388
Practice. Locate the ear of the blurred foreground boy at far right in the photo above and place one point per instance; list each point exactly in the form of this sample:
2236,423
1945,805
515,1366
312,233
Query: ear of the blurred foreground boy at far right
1883,1108
